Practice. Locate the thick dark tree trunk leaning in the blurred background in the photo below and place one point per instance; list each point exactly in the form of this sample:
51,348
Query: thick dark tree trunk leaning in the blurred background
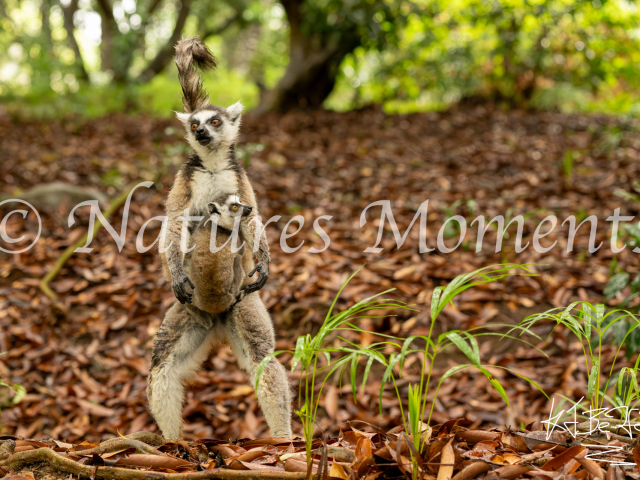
313,66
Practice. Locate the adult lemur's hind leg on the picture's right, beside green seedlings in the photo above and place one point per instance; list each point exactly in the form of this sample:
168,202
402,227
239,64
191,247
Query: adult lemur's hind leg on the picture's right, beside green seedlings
251,337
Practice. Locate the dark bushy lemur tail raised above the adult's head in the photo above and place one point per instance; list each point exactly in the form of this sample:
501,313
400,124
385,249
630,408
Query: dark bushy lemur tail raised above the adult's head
192,53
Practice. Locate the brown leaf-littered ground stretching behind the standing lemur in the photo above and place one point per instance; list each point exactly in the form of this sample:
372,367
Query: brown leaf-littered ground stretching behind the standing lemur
85,373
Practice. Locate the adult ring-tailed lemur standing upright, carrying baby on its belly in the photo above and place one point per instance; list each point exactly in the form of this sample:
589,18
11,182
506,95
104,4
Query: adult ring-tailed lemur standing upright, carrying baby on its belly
187,331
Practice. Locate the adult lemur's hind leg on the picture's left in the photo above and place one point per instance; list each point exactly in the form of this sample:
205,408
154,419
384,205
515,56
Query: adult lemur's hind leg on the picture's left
181,345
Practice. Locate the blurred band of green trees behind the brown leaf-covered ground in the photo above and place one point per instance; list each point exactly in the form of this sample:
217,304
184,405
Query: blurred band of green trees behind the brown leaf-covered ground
92,57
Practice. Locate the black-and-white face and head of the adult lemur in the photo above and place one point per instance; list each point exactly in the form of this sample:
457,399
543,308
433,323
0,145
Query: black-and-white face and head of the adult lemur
212,127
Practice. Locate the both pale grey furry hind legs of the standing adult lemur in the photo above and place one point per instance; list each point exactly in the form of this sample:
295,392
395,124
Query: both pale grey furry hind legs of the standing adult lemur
187,336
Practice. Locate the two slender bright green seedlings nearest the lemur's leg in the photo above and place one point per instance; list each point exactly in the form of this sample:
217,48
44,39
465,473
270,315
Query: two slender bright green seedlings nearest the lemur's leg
319,362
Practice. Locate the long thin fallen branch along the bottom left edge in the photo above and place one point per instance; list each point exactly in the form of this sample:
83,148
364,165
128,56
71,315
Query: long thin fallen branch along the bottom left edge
57,461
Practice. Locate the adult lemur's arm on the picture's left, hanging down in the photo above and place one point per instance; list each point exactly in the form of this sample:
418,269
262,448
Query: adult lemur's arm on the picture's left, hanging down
177,201
